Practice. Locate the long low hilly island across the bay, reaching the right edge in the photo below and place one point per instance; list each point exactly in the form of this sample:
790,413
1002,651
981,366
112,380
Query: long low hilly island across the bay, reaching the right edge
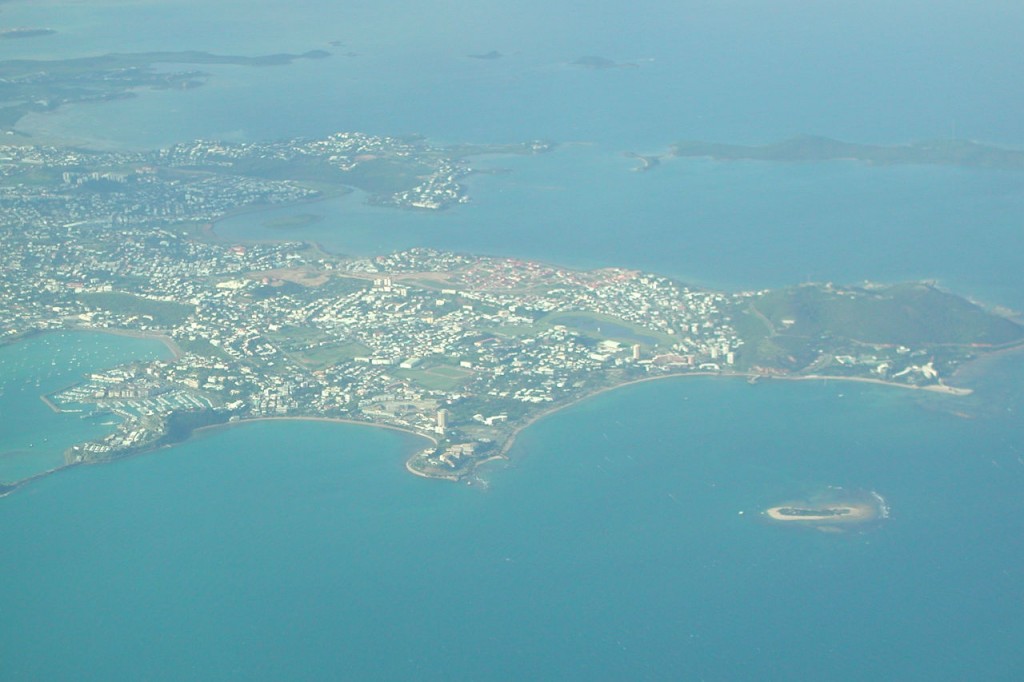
812,148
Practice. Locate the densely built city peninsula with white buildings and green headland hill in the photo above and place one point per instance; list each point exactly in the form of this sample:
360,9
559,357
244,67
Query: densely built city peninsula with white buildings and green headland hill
462,350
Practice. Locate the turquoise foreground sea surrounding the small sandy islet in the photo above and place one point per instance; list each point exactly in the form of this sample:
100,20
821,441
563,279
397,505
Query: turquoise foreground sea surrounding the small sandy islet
613,547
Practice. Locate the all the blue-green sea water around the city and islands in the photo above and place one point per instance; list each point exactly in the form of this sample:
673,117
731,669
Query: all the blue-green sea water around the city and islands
613,547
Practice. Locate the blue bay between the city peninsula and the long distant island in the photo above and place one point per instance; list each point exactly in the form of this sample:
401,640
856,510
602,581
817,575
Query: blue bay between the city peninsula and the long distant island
726,226
